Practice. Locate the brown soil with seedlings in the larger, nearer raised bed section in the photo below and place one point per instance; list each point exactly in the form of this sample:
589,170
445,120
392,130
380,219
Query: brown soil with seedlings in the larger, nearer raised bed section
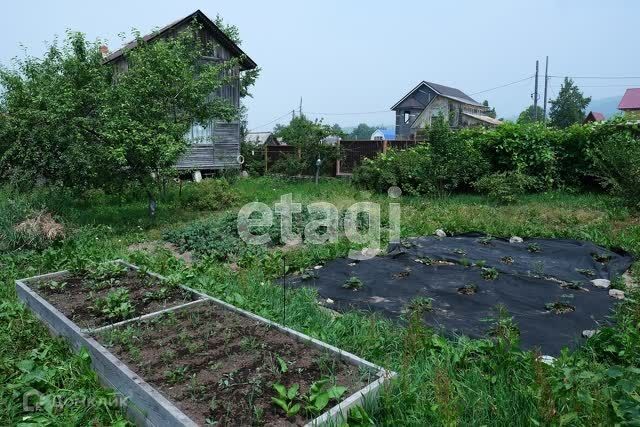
219,367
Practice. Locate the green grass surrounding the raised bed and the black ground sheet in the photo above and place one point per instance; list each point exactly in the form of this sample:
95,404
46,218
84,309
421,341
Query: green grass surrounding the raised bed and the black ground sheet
441,382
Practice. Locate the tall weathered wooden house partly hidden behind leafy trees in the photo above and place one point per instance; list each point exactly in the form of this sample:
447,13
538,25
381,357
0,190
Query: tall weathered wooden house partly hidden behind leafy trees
214,145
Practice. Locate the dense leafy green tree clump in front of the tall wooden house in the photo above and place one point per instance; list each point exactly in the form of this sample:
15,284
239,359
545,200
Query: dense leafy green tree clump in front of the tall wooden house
74,121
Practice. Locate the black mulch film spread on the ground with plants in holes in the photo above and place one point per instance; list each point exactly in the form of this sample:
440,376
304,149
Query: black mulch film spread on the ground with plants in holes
465,294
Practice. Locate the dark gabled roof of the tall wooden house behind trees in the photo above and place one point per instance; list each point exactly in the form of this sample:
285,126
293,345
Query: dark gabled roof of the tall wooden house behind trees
245,62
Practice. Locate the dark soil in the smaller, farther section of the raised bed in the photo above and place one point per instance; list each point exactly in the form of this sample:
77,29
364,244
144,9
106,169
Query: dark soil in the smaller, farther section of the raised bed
78,297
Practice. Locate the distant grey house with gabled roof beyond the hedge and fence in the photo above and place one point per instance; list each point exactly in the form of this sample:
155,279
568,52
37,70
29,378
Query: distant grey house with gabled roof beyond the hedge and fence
429,100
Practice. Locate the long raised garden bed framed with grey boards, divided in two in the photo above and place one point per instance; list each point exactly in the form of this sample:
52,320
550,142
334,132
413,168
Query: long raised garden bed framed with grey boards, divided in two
205,361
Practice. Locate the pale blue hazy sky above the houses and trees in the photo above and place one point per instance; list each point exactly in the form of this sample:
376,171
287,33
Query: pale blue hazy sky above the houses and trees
346,58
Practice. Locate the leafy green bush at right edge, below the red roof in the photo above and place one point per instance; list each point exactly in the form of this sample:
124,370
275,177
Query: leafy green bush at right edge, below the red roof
616,159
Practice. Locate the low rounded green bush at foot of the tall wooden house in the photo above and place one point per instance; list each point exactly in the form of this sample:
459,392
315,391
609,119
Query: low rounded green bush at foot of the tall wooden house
208,195
